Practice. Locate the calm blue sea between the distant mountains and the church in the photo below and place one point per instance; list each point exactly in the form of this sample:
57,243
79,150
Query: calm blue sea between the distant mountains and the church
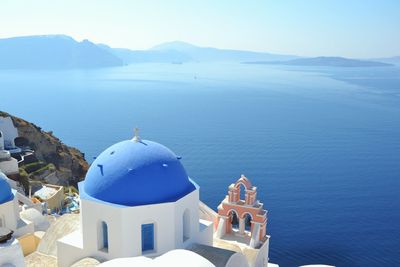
322,145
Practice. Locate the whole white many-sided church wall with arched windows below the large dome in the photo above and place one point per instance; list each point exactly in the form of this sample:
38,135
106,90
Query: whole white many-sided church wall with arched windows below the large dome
124,226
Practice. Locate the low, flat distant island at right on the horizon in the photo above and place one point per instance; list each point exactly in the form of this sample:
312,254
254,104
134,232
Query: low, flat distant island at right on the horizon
325,61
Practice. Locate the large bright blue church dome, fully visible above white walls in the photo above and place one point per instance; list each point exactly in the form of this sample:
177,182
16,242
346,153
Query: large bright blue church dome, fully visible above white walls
137,172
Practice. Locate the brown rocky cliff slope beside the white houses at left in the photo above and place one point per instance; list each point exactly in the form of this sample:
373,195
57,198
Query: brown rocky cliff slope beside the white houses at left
69,162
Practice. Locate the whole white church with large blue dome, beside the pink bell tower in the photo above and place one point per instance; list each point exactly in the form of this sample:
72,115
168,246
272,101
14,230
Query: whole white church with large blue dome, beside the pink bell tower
137,200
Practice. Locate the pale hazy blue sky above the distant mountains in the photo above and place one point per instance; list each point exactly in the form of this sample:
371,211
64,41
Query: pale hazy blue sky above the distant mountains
352,28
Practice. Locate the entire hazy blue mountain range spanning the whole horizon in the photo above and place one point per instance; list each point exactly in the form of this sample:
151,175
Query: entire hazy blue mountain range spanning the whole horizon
63,52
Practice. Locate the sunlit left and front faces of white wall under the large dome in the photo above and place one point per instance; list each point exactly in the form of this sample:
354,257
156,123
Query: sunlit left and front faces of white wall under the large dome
124,228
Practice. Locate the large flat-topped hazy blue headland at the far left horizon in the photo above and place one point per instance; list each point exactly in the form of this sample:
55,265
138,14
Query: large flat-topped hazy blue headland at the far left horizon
53,52
